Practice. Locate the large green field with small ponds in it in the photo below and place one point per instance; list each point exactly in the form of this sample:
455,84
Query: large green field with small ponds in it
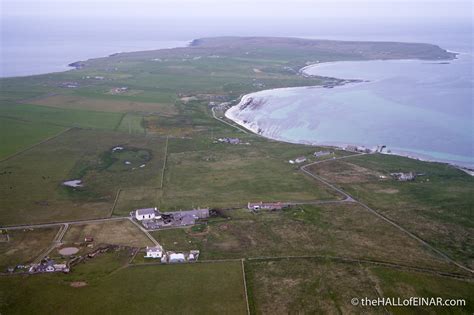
76,154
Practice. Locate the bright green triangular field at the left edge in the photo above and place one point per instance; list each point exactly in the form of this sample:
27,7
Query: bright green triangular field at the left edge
16,135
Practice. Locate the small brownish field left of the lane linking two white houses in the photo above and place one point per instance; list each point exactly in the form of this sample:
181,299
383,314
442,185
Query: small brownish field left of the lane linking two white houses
121,232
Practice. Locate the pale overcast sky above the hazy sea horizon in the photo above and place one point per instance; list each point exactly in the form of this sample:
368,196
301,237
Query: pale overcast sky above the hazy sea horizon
238,8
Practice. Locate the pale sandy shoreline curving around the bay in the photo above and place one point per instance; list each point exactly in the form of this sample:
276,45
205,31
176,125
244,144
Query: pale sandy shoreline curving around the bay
255,129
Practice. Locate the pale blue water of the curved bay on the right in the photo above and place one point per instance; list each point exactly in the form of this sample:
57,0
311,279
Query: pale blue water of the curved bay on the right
416,108
